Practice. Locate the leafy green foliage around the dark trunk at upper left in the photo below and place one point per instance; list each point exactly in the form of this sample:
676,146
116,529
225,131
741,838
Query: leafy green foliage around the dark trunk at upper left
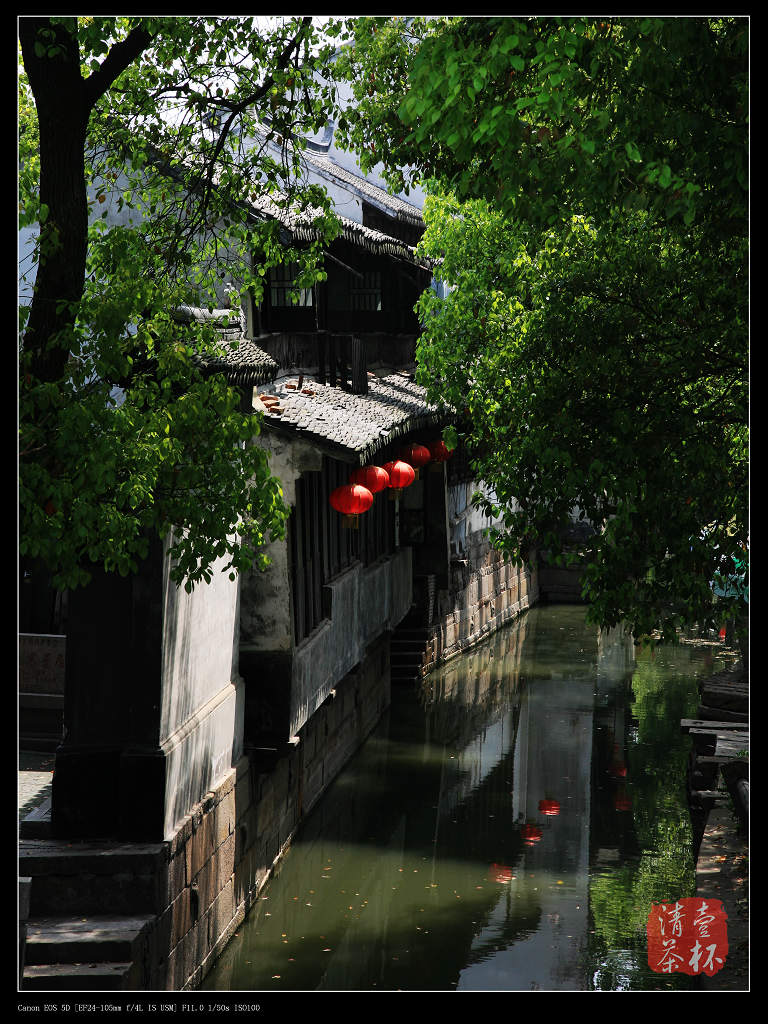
145,145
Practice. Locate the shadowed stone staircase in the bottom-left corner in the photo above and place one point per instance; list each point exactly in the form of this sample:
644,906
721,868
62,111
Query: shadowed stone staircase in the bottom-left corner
93,908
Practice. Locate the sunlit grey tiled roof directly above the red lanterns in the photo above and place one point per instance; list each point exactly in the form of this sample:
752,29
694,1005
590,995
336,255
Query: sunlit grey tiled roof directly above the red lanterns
353,428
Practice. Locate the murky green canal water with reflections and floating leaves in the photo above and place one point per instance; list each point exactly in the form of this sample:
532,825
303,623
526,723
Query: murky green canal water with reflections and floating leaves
507,827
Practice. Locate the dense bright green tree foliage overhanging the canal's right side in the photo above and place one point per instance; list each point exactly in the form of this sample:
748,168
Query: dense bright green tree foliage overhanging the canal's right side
588,215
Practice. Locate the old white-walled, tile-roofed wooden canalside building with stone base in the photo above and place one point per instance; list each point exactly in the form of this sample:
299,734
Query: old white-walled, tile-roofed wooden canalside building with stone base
200,730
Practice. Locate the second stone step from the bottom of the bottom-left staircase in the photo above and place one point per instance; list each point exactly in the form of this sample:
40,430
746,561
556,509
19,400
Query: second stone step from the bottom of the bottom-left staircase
84,941
